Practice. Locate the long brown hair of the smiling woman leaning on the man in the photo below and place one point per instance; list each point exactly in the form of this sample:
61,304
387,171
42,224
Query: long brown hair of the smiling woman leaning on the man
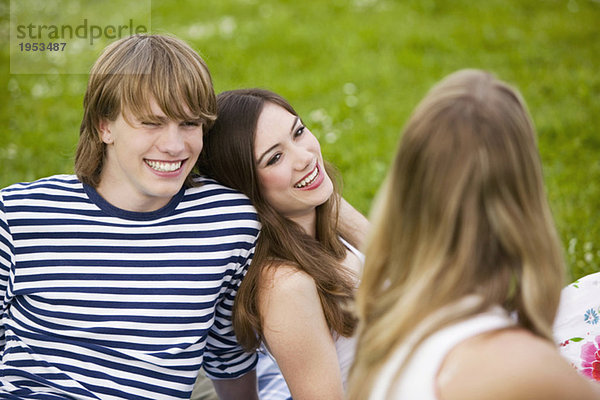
228,156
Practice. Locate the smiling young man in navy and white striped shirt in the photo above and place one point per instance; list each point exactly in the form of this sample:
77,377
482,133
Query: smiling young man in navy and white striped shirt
118,283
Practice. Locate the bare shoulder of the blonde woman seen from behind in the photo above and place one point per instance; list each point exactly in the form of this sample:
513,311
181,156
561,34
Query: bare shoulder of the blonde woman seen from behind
510,364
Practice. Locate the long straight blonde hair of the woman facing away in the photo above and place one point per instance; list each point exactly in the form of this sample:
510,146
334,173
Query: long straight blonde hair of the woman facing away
463,212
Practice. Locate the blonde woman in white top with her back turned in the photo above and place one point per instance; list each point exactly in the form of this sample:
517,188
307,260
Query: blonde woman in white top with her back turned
463,267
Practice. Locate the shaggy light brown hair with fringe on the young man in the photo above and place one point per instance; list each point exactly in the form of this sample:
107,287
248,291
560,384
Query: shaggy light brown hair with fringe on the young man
127,75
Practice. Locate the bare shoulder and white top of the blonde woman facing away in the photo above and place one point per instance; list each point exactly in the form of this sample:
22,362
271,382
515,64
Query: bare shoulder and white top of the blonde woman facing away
483,357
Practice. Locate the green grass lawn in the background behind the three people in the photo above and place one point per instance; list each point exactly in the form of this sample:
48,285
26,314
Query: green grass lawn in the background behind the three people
354,69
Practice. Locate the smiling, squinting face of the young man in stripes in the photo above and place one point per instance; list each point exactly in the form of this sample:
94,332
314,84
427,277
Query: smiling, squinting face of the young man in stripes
146,163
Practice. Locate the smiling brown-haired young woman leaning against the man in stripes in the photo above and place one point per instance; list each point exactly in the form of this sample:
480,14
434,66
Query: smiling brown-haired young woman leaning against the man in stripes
295,299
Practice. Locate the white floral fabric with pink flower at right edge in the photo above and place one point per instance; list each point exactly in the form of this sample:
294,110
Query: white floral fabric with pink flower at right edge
577,325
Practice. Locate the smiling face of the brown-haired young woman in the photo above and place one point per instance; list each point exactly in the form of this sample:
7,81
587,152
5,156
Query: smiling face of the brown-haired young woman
289,163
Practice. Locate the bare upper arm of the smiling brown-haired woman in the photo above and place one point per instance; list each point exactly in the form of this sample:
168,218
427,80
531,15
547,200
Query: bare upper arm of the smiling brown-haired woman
297,335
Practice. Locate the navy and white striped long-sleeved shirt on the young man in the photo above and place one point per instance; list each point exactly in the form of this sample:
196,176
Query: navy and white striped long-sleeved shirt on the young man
102,303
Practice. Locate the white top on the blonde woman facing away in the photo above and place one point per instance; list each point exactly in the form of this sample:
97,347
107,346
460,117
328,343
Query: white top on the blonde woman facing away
418,380
